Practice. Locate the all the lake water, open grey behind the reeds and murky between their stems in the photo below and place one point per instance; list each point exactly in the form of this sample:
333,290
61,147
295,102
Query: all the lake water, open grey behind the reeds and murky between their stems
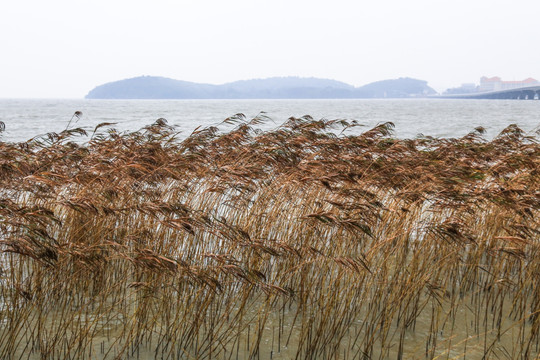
442,118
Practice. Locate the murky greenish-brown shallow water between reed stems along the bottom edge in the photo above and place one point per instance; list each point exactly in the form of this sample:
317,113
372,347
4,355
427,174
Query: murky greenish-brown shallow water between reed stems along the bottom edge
468,335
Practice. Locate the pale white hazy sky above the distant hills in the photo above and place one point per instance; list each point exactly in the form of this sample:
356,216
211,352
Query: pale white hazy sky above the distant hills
64,48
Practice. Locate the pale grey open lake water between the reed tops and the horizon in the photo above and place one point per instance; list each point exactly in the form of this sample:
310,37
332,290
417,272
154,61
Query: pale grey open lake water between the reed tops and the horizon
434,117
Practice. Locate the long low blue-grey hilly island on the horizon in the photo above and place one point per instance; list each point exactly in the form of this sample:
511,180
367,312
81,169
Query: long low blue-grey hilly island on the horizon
153,87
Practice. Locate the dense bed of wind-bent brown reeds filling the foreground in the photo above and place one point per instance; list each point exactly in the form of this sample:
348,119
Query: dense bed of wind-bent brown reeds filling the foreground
302,242
